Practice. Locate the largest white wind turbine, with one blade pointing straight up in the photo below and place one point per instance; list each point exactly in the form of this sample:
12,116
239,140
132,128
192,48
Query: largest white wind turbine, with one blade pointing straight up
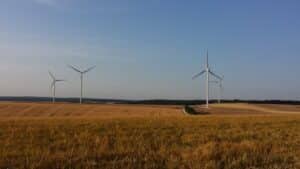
208,72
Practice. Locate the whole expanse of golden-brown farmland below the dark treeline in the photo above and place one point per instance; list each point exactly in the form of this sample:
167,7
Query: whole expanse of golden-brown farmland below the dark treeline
42,136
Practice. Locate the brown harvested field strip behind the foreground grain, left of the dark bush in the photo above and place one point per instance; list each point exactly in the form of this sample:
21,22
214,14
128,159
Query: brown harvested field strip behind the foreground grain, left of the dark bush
11,109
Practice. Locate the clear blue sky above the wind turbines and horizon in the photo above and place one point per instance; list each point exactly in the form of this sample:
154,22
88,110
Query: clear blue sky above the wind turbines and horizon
150,49
